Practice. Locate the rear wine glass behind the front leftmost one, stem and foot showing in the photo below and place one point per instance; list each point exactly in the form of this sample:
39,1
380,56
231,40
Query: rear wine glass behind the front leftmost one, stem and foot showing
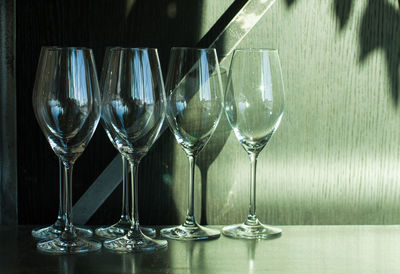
54,230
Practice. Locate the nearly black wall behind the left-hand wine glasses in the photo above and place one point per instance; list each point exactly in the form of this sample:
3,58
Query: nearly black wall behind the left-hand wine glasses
94,24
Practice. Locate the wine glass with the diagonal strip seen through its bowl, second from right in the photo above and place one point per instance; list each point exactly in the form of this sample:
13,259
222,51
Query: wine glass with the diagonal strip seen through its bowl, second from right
194,107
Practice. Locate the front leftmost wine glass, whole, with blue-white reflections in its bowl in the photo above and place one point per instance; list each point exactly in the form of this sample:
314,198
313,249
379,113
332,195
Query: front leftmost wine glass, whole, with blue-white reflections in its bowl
66,102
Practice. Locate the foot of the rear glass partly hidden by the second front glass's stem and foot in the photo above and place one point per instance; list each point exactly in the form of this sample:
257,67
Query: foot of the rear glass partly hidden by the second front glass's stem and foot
121,228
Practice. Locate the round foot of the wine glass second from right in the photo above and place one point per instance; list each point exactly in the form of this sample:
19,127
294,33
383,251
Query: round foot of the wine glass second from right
190,233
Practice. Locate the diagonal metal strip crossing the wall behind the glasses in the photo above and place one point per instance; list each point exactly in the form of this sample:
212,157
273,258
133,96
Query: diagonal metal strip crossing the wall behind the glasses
225,41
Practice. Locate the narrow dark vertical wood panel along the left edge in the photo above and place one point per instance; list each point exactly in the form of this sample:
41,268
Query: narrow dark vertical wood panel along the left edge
8,141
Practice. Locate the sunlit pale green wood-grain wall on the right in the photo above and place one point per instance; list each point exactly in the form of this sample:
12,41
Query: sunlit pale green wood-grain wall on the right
335,157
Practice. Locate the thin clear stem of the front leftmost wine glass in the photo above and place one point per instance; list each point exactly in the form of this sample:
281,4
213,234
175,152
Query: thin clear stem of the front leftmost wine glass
69,230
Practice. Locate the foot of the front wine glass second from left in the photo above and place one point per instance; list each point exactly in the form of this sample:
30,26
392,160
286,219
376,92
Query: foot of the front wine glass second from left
135,241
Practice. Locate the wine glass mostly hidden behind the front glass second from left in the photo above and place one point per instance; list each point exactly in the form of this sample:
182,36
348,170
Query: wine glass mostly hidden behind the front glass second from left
123,225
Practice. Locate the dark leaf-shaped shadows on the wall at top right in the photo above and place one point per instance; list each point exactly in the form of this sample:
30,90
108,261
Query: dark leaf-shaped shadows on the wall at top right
380,29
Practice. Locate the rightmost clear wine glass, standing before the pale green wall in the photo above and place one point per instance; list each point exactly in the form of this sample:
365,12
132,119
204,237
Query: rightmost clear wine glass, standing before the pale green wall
254,103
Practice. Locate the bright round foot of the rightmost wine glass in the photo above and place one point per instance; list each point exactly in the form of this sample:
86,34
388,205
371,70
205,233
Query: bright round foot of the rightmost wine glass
257,231
